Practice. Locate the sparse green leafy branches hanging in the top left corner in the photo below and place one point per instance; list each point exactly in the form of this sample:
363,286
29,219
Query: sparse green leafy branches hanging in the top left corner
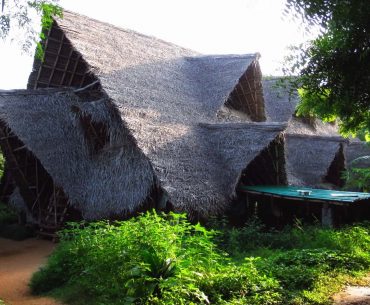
17,14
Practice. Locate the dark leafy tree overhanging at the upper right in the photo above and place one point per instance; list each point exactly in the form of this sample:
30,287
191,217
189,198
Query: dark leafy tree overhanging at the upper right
334,69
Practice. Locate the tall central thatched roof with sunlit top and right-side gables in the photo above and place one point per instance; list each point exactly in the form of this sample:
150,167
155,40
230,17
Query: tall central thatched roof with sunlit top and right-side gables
174,101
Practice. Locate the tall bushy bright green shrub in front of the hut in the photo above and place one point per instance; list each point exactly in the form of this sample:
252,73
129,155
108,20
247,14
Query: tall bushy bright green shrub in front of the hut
150,259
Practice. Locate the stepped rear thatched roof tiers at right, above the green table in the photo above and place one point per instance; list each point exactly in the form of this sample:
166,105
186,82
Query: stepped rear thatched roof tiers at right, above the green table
311,145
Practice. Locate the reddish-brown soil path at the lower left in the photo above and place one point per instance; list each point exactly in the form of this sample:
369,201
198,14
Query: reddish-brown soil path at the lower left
18,261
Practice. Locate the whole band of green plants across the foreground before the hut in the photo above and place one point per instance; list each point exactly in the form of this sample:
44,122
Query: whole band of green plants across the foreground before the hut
155,259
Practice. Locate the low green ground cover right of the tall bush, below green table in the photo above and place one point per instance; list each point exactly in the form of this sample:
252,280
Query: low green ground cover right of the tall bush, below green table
310,263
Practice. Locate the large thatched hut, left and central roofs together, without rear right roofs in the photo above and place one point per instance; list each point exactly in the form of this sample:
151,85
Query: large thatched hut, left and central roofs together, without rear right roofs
159,117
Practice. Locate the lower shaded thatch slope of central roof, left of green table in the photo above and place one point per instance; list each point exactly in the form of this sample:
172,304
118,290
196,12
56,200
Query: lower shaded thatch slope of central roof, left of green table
201,168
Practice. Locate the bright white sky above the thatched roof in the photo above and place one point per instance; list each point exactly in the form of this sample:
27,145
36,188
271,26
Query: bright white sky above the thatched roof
206,26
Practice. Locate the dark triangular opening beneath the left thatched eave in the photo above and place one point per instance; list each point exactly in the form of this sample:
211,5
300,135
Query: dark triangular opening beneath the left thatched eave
45,202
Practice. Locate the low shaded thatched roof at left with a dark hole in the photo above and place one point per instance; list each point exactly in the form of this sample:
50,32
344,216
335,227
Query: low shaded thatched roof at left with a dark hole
116,180
